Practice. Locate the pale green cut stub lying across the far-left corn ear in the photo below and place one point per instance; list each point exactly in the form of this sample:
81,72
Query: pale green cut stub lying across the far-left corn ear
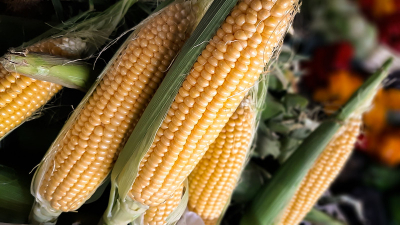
50,68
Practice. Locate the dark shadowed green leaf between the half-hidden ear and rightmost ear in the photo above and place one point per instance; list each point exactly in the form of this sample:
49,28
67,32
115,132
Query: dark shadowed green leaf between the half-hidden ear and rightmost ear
251,180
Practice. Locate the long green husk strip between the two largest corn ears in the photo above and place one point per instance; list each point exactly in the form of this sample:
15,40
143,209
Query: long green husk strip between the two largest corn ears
126,168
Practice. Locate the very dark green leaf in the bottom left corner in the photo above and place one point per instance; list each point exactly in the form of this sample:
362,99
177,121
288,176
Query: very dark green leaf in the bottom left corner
15,197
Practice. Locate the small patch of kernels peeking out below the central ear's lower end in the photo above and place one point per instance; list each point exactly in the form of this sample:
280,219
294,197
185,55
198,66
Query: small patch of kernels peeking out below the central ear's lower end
157,215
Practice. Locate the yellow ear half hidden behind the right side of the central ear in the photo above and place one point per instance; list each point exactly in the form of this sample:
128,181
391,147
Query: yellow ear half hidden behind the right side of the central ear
214,178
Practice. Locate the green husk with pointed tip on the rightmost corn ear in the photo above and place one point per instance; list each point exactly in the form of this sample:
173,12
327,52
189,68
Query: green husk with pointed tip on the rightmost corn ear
271,201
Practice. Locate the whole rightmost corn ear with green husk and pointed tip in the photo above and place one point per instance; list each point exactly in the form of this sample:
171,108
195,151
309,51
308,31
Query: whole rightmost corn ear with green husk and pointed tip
281,198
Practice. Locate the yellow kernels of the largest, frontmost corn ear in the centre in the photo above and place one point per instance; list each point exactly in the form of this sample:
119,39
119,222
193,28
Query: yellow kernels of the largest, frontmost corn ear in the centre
223,73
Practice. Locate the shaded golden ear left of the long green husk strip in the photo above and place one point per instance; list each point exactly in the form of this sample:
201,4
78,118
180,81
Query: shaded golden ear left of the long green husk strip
85,155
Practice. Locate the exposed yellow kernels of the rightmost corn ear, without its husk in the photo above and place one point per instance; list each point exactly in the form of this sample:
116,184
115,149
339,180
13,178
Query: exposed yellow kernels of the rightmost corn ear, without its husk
323,173
